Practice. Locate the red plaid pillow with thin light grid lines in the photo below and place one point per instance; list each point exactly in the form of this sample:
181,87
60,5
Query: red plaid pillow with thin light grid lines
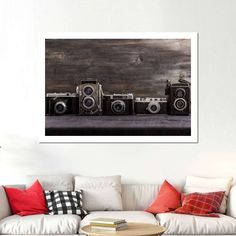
201,204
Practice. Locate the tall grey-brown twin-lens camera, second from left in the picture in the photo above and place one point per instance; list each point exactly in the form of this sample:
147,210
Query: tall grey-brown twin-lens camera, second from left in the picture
90,97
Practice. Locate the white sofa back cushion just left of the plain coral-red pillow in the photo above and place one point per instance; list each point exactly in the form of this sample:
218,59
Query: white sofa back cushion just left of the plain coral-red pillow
138,197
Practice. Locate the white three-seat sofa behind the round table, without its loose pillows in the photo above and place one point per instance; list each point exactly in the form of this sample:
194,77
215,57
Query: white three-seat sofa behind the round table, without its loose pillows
135,198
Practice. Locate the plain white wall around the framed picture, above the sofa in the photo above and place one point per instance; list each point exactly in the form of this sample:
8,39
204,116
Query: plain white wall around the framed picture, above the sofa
21,21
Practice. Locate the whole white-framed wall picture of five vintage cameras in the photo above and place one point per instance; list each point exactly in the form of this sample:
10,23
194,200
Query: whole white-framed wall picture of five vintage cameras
119,87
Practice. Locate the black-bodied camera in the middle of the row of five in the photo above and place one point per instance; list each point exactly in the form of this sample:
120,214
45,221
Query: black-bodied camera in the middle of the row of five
118,104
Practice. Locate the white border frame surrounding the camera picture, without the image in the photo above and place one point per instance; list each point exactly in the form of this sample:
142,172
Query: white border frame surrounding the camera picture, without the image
193,138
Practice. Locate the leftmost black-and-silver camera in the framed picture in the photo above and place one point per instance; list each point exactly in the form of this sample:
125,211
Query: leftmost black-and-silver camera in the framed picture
61,103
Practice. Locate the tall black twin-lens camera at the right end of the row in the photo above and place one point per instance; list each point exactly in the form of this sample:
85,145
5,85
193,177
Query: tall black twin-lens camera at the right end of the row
179,97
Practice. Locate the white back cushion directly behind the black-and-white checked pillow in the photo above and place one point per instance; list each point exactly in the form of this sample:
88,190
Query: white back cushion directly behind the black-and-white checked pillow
52,182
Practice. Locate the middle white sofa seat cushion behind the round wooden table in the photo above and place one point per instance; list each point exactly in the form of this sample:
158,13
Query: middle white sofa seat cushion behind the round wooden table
129,216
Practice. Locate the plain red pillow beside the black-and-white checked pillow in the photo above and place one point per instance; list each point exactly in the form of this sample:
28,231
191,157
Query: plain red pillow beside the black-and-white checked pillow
27,202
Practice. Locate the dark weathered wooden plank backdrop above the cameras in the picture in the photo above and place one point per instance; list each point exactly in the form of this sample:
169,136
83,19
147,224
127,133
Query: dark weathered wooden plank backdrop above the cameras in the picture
139,66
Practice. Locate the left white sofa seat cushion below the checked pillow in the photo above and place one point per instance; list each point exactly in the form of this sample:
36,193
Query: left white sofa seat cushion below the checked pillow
40,224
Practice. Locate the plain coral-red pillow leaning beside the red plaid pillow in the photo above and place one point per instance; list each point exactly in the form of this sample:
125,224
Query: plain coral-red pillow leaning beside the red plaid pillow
168,199
